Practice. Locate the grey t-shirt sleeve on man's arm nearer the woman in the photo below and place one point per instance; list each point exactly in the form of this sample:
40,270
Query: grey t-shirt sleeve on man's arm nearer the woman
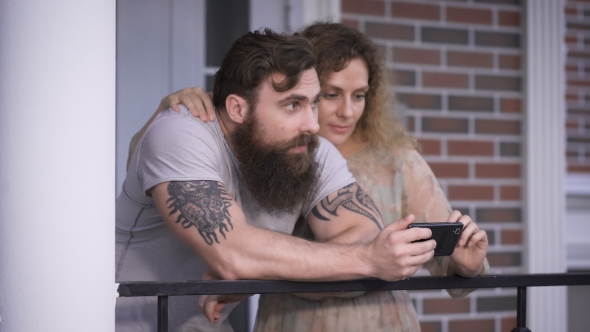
334,173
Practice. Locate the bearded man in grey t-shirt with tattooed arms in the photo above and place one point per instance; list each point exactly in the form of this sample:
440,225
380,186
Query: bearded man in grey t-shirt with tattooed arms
222,197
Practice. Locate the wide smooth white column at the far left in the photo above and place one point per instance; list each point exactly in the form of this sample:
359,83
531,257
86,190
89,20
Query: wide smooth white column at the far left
57,158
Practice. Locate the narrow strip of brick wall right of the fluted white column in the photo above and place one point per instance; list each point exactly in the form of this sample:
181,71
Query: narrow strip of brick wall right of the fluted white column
577,68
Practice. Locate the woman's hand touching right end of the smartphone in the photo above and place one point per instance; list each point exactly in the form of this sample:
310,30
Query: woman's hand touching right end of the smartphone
471,248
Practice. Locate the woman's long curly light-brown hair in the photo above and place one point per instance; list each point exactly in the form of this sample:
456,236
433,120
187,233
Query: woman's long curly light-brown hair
335,45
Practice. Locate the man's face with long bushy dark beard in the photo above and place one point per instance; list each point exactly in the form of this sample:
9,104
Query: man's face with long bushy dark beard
276,145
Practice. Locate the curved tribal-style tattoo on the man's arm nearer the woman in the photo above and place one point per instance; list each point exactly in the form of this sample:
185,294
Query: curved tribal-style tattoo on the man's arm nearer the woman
353,198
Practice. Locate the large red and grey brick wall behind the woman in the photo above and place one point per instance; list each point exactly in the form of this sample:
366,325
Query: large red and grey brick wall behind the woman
457,72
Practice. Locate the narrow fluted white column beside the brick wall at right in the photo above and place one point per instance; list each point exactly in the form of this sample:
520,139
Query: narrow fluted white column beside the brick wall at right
545,161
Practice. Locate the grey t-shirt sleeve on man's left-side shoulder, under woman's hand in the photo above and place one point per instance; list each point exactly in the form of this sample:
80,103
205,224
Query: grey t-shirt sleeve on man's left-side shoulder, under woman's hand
177,147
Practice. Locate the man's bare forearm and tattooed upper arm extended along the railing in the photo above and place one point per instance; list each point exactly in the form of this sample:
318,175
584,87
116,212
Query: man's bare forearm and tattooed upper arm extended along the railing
207,218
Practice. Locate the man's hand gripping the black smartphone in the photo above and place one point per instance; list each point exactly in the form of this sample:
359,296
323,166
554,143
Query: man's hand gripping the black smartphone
392,253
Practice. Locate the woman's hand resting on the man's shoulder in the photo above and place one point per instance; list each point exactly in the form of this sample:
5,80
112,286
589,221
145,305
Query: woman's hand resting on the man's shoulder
196,100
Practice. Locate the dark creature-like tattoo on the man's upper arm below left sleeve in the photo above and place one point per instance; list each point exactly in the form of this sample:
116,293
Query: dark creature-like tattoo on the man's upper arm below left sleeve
203,204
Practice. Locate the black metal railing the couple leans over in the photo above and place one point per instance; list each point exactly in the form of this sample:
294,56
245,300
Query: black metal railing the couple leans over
165,289
